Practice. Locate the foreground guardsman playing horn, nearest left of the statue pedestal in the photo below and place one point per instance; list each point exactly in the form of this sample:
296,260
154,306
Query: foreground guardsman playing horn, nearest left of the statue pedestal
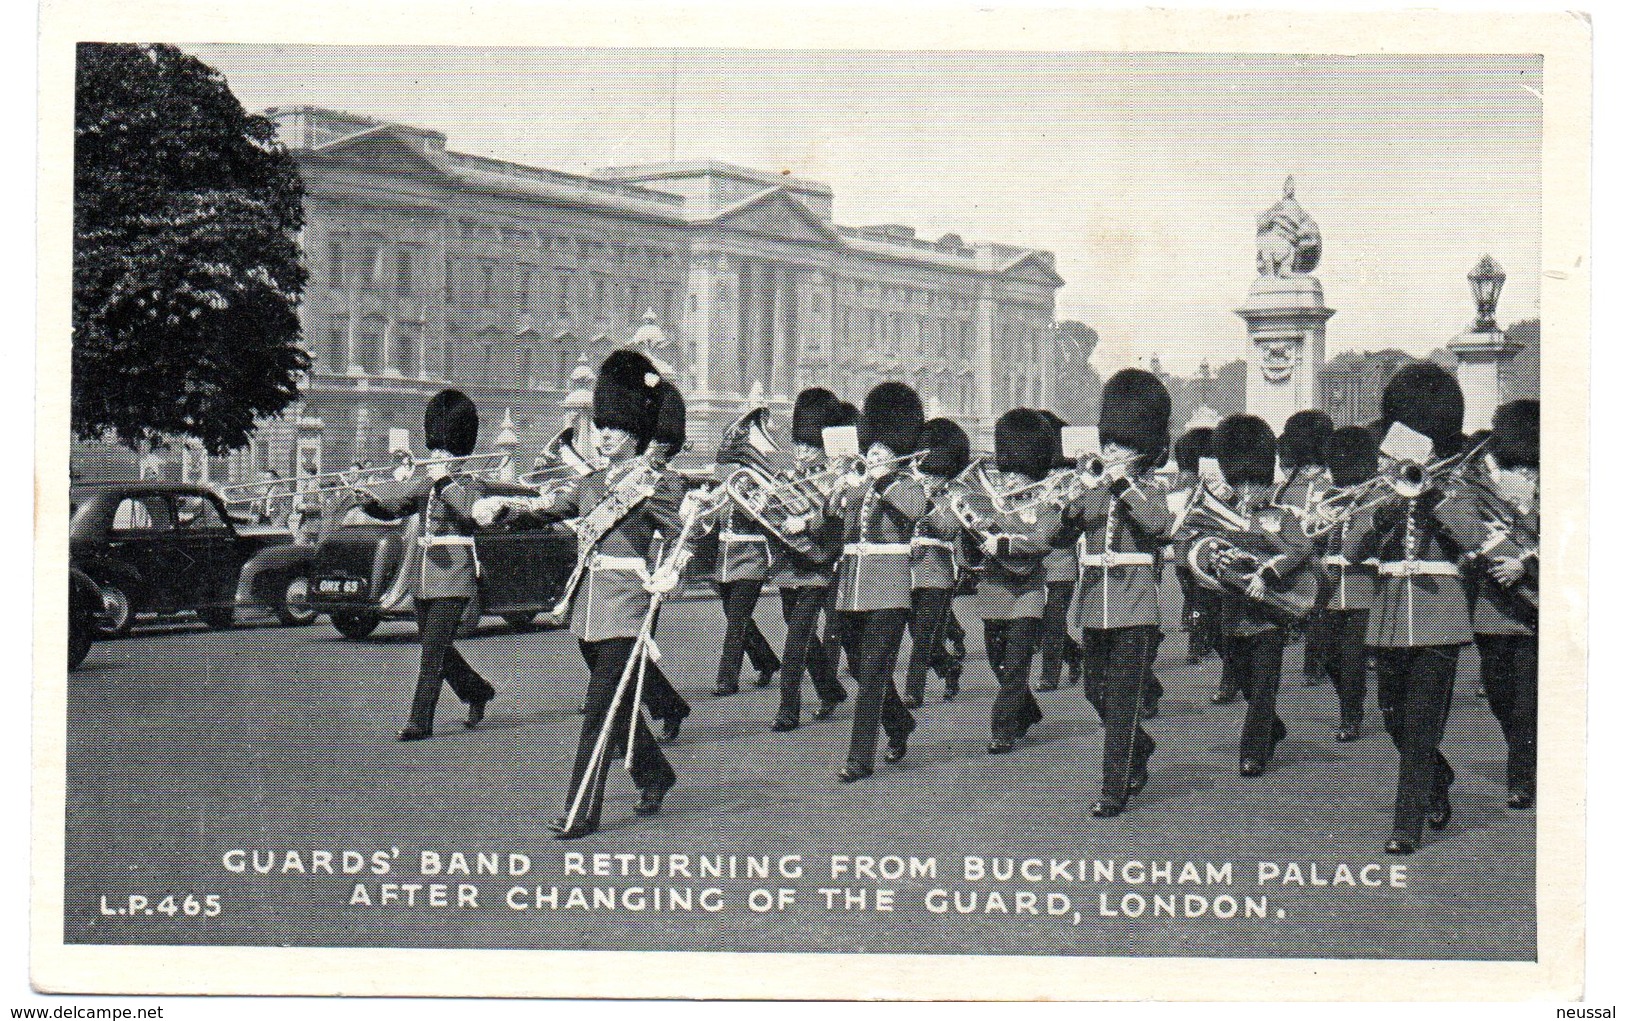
1116,615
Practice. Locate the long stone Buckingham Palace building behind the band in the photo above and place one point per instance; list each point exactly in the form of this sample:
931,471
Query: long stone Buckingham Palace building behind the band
431,267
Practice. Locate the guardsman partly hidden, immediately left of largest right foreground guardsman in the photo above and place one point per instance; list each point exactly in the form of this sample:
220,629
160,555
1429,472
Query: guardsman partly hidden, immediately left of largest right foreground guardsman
1351,586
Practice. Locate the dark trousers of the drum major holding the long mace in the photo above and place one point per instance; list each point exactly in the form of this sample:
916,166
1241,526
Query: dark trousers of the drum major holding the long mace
651,770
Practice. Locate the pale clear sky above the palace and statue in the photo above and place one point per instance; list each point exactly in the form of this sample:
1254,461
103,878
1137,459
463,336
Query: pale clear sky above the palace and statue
1143,173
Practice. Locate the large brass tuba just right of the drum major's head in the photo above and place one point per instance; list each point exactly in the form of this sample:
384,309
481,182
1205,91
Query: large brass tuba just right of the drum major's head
769,493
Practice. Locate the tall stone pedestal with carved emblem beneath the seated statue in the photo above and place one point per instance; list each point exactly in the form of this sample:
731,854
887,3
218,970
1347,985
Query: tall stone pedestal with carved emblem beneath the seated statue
1286,328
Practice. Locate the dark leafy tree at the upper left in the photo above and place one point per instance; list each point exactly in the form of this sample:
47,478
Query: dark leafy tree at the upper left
186,253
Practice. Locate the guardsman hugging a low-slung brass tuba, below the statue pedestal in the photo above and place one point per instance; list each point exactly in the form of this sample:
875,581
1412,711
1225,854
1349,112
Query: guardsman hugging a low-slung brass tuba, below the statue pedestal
1246,450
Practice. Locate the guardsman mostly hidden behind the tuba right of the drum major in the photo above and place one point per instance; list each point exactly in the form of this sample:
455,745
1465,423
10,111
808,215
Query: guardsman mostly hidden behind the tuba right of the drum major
743,567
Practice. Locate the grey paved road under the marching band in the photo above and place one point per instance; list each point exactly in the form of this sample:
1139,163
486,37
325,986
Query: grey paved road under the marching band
188,745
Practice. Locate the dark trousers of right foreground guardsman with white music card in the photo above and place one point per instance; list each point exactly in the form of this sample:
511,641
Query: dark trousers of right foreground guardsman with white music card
1415,689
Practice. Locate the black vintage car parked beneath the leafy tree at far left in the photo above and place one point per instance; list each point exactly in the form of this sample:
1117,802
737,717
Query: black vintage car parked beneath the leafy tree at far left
158,549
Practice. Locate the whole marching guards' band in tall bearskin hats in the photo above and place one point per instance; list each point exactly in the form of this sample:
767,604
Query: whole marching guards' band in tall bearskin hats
1395,544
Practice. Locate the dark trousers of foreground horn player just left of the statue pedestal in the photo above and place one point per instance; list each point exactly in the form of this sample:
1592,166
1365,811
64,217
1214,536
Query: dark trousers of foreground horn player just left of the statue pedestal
1117,664
